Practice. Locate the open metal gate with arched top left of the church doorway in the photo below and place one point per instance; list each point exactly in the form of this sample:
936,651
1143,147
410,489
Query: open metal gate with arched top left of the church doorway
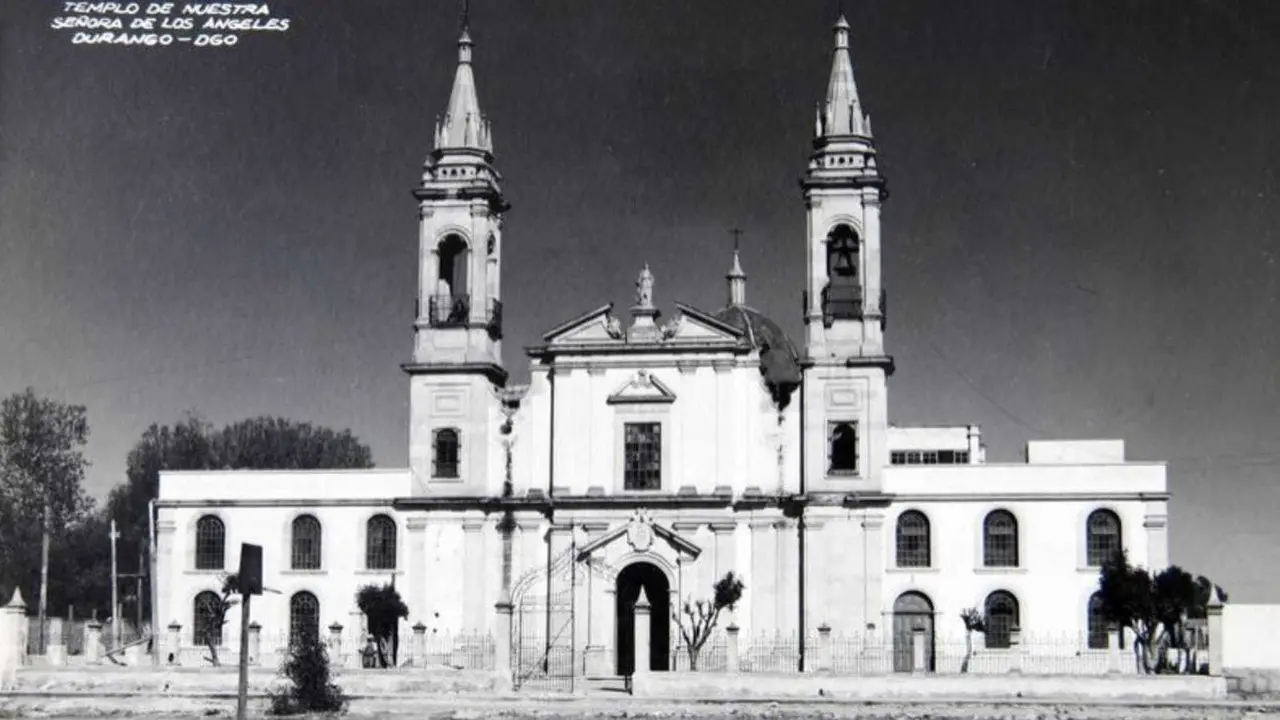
542,636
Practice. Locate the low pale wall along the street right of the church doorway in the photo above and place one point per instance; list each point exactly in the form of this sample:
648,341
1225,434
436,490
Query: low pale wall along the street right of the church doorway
908,687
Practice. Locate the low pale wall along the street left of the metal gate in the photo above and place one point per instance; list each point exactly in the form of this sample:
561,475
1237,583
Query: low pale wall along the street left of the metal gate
208,681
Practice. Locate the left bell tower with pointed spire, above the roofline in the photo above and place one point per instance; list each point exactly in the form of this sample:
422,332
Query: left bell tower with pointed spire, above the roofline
458,330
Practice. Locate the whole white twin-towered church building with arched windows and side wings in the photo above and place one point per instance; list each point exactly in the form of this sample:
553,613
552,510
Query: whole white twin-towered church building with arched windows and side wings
662,454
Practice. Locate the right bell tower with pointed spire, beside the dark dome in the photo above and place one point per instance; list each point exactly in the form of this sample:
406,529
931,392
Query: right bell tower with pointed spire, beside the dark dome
844,302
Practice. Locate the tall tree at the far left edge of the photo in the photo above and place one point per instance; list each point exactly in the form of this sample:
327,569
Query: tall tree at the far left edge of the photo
42,475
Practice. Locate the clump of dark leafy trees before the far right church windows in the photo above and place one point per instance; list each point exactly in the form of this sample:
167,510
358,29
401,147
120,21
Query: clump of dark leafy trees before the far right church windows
1156,610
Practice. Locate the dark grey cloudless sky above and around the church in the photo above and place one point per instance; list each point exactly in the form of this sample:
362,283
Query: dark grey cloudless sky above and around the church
1080,241
